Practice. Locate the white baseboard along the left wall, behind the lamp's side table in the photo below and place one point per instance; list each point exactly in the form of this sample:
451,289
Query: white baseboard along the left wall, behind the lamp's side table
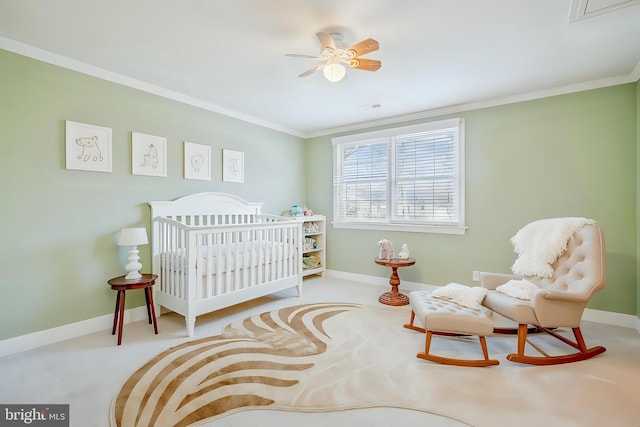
72,330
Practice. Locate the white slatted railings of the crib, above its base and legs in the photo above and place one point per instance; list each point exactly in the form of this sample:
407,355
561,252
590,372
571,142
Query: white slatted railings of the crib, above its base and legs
207,256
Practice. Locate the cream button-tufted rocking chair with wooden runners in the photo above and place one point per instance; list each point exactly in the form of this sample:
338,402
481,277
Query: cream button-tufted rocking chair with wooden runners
560,300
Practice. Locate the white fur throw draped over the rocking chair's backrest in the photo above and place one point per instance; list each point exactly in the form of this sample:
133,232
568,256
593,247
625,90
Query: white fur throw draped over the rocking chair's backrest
540,243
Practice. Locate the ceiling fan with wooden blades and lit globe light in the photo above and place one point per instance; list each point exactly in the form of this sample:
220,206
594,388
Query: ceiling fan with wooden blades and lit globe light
334,57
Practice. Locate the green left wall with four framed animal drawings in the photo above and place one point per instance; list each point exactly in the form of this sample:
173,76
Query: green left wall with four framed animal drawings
59,227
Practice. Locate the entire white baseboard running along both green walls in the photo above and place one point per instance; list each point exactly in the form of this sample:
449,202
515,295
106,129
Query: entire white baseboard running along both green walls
102,323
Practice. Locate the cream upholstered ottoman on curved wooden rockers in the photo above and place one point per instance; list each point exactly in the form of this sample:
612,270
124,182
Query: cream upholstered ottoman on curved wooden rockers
443,317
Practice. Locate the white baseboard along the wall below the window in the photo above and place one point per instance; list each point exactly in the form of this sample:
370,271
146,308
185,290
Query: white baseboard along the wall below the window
590,315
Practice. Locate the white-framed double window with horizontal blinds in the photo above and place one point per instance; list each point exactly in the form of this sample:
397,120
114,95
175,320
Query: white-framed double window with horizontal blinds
409,178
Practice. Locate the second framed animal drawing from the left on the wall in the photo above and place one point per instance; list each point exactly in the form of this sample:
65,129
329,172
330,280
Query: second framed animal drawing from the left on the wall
148,154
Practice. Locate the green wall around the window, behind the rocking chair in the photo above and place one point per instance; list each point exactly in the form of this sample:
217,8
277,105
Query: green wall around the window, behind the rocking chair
570,155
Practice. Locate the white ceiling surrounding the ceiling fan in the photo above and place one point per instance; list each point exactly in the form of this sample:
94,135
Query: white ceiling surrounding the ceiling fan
437,56
